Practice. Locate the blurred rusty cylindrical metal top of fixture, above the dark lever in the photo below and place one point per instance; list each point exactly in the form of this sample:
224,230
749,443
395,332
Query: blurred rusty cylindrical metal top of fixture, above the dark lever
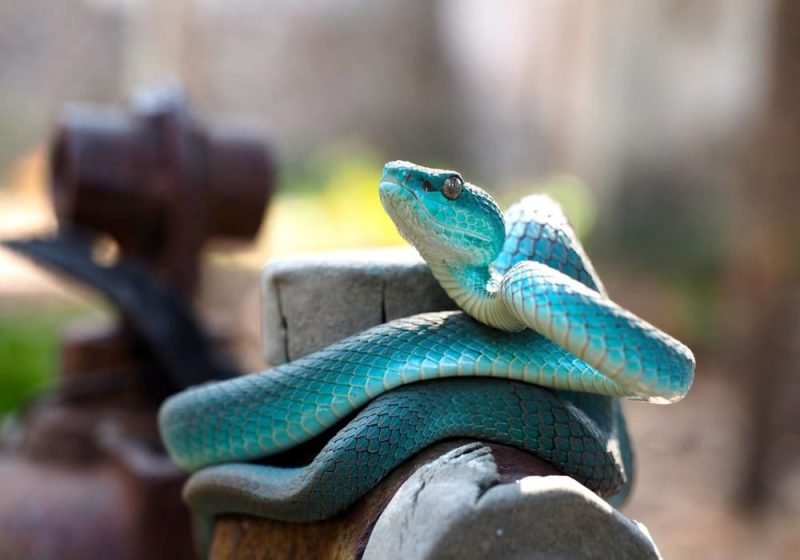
158,181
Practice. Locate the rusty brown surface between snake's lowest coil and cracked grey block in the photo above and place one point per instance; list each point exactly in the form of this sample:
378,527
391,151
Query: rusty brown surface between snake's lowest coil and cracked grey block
239,537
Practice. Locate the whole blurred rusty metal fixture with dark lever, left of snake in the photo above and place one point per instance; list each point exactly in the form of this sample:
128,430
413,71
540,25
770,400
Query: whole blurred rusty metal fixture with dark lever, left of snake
85,473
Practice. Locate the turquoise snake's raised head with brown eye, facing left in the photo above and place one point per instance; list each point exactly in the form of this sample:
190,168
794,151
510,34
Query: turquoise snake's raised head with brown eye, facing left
444,217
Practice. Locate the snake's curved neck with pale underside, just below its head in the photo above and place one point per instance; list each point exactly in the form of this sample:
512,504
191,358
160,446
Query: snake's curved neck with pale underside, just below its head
475,290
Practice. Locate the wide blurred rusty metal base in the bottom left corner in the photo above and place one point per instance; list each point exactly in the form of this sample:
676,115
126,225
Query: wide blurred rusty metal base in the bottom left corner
109,496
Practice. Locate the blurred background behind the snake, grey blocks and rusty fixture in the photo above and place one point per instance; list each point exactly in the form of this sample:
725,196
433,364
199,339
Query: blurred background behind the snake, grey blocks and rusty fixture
669,130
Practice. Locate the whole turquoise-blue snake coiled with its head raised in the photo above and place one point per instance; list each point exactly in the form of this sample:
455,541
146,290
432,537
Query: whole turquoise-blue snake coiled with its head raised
536,360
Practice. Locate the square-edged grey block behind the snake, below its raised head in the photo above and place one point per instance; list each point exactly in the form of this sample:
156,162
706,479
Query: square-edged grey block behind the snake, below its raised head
311,301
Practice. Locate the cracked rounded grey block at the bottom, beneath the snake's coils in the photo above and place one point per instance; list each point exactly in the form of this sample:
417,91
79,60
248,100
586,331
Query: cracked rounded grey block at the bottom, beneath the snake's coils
455,509
